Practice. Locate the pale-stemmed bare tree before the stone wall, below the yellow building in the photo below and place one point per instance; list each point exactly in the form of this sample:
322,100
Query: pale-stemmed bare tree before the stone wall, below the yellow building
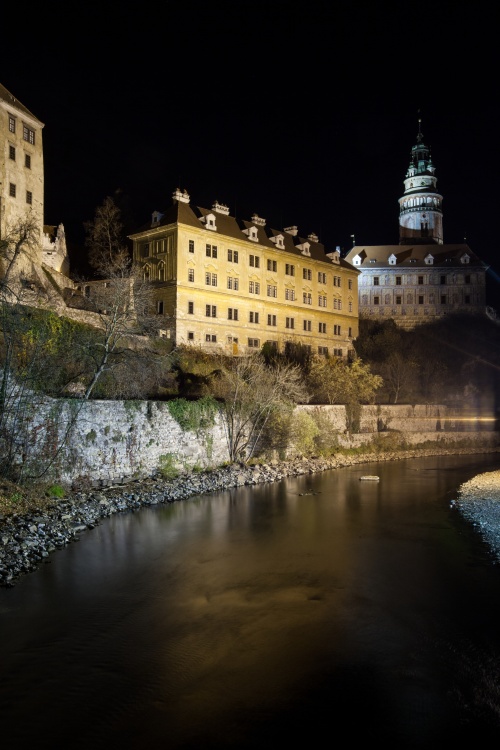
248,391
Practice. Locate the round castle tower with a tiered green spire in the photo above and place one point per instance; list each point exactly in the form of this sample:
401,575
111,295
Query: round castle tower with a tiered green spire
420,213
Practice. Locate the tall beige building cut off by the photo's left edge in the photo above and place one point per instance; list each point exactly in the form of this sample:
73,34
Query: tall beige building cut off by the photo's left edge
22,184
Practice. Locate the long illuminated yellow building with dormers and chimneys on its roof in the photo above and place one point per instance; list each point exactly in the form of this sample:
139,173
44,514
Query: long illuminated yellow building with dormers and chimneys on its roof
225,283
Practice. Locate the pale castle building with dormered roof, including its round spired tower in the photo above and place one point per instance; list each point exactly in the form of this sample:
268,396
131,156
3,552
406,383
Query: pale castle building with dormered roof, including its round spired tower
421,278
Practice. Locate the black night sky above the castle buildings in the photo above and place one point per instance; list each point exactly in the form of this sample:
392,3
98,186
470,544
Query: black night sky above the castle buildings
304,114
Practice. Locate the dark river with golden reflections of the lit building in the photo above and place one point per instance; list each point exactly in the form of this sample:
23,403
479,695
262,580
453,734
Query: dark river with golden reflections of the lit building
320,609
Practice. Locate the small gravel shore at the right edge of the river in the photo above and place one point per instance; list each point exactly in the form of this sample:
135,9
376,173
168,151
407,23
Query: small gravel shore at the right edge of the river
479,502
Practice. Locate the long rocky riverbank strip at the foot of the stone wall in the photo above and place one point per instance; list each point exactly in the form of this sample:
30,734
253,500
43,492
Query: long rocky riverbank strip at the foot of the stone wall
29,536
